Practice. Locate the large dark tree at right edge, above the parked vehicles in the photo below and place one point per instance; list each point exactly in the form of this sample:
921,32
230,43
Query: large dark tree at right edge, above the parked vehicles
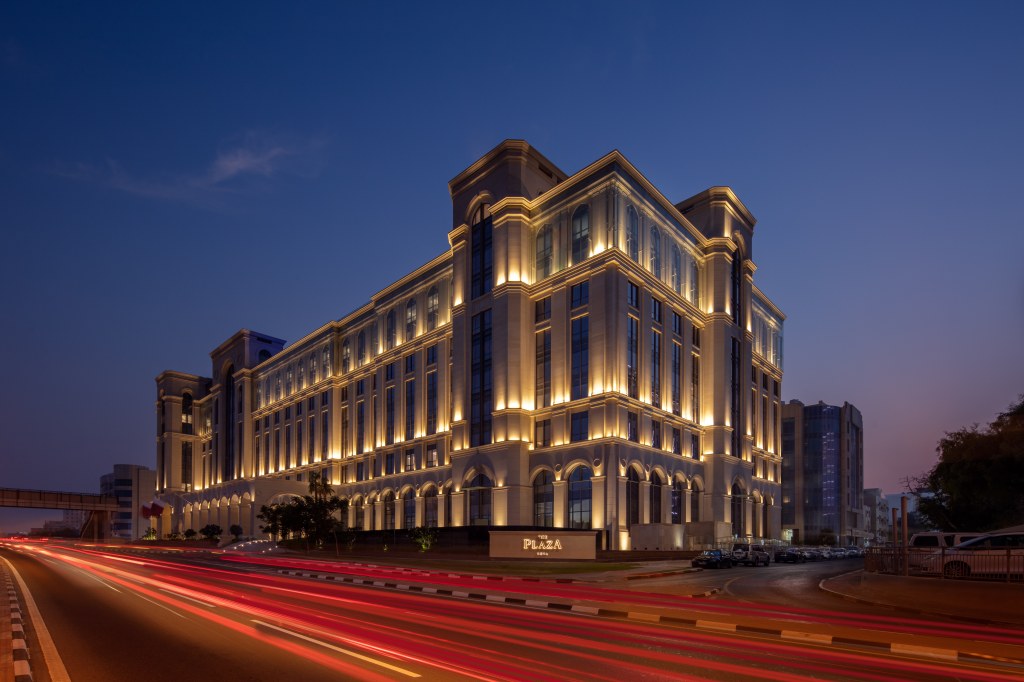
978,483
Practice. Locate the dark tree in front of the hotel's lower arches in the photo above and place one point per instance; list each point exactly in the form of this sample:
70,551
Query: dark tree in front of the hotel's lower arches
314,517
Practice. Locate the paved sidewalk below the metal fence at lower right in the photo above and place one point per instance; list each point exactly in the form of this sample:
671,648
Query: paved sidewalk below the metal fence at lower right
971,601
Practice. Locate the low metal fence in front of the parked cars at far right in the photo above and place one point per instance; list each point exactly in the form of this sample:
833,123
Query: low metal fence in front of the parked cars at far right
984,565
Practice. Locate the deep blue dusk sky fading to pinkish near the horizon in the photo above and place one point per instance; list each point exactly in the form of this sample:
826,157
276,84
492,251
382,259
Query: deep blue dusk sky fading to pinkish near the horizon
174,173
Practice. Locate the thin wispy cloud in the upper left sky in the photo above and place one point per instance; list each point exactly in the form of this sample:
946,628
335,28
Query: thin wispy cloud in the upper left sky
241,166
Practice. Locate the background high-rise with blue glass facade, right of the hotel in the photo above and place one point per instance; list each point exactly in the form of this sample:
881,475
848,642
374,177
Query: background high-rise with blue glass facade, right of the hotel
824,474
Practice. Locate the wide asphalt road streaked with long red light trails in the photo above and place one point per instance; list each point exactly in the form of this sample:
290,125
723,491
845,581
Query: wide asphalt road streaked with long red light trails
116,616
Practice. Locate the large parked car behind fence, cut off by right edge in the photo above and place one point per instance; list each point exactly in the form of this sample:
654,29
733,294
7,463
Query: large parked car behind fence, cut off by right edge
995,556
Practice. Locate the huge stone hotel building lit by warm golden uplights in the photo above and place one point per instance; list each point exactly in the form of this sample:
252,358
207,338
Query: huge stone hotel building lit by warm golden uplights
587,355
